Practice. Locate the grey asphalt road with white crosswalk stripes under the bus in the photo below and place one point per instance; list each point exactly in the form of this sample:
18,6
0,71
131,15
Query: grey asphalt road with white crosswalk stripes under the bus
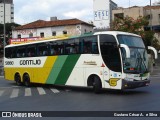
53,98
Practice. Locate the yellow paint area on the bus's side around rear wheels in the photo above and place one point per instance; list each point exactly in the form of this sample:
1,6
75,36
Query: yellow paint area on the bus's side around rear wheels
37,75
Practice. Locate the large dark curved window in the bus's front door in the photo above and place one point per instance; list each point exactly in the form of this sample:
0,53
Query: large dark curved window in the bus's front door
110,52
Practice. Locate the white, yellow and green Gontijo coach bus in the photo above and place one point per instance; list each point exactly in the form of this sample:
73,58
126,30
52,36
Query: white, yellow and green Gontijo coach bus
109,59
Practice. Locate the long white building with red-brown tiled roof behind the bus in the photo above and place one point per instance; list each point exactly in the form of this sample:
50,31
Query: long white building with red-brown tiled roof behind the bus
55,27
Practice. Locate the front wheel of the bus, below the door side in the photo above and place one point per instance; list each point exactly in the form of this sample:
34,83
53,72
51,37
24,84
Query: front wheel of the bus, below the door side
97,84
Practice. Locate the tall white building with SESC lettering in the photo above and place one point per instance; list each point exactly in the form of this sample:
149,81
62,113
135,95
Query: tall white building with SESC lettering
103,13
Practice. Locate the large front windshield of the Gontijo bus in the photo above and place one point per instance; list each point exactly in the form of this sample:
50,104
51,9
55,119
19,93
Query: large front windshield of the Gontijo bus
138,61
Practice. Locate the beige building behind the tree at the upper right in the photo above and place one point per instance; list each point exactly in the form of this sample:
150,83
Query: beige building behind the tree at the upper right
151,12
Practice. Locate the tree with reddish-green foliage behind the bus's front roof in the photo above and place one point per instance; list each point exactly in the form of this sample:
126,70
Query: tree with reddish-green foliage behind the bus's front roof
136,26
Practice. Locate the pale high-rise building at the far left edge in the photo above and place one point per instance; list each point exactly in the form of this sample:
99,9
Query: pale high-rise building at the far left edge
9,11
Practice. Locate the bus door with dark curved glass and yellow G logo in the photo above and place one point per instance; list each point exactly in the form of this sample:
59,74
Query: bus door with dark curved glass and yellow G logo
111,57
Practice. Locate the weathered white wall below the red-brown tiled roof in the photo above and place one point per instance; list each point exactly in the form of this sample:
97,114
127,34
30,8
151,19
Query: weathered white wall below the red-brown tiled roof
72,30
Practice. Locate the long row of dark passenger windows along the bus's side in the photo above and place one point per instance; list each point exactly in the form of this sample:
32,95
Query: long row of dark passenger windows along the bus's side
83,45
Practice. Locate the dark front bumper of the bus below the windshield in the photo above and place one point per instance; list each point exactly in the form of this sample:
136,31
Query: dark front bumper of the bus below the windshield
134,84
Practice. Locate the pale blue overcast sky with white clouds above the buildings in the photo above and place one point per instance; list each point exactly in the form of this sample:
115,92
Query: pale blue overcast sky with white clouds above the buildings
31,10
